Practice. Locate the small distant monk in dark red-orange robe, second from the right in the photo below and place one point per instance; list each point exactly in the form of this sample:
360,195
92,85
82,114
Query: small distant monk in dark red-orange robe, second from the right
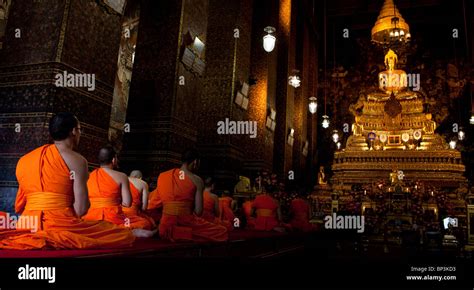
268,212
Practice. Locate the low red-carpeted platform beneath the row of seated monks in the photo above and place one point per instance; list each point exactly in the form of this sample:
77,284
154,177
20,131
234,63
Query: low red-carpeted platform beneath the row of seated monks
242,243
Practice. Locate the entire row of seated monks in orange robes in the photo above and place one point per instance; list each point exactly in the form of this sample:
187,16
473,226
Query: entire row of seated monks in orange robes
74,209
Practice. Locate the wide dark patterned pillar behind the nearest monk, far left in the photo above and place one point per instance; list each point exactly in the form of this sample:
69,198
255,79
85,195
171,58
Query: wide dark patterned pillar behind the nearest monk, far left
52,41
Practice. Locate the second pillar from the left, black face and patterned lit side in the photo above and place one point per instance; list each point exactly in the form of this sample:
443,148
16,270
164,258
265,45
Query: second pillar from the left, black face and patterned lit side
167,82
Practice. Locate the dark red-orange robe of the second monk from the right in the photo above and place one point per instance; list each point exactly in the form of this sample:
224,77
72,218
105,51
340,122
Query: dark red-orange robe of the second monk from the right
266,208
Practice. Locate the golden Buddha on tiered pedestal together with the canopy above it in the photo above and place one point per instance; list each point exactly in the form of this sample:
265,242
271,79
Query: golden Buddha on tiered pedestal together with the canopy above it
392,119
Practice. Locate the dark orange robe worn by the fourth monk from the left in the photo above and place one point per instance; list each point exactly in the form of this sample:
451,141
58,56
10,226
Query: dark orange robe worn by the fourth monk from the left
178,221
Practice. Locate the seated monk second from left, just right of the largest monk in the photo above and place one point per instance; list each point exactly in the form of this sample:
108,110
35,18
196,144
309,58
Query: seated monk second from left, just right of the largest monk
109,191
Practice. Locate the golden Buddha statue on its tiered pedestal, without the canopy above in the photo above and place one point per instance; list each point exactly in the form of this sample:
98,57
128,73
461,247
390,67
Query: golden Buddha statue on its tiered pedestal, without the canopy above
404,135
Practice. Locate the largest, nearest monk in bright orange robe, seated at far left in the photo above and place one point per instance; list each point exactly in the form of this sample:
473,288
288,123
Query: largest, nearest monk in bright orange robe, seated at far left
53,191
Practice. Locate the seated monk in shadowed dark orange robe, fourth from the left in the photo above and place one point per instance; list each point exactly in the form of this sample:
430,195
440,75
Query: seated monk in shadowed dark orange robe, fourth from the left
182,194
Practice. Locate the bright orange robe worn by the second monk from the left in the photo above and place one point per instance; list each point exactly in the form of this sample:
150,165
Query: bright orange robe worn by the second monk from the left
105,196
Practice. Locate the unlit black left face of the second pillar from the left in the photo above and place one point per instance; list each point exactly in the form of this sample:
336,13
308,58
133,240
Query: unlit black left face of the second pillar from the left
153,126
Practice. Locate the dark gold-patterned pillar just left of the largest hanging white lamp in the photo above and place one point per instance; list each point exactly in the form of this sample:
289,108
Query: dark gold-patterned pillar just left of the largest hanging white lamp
228,64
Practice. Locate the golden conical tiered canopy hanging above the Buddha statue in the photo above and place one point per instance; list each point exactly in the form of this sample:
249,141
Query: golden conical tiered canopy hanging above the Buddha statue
385,25
